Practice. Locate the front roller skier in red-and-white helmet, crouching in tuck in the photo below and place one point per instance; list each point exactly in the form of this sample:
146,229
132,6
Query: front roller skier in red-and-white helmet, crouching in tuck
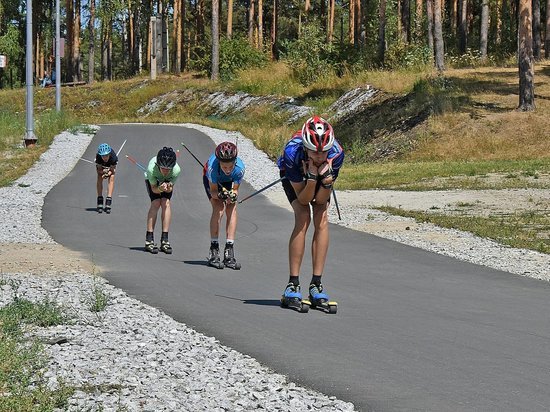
311,161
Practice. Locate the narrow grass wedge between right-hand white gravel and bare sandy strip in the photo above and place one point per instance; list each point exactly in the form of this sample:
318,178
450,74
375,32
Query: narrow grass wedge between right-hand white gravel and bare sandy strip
528,230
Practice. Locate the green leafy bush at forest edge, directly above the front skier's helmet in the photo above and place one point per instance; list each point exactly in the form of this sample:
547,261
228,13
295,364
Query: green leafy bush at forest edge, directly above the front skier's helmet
309,56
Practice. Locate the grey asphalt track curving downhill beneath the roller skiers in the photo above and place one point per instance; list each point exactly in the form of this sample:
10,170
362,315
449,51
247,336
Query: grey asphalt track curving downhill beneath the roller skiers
414,330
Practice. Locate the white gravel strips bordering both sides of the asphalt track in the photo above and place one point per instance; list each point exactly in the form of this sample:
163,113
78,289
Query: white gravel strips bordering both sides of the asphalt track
133,357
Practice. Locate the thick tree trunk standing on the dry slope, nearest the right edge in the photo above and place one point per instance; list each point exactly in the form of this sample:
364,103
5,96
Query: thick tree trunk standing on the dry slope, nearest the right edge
525,54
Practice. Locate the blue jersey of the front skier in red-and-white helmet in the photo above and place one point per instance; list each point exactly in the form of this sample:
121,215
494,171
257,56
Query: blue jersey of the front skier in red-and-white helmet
290,161
